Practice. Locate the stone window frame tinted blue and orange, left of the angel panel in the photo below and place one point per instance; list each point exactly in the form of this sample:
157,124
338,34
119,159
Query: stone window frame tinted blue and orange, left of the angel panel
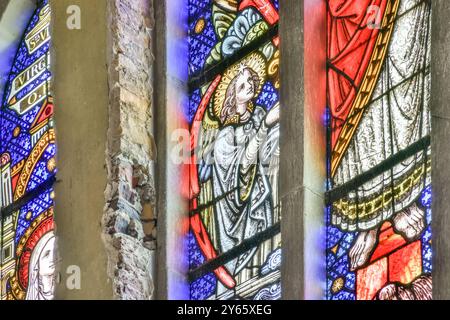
170,94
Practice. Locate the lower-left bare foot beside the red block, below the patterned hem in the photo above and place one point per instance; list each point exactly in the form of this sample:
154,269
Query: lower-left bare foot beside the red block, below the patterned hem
362,248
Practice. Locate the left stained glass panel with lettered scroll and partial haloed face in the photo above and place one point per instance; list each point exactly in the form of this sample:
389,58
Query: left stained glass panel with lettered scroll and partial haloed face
28,168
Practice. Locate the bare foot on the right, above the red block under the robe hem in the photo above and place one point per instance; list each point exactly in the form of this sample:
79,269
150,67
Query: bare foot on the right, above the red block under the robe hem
410,222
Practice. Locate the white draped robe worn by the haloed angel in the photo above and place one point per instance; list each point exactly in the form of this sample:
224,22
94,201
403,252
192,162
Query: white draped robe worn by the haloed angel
248,207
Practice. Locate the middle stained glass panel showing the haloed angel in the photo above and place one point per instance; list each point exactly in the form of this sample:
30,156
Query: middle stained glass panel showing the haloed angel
234,241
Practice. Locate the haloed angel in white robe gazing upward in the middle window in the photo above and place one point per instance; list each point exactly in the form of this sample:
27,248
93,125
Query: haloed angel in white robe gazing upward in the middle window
237,170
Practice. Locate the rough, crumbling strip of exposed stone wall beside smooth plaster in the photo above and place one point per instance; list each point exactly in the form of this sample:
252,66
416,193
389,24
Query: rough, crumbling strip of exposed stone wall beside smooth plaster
129,220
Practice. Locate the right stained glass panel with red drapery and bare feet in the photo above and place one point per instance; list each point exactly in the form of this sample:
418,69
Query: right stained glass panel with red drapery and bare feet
378,203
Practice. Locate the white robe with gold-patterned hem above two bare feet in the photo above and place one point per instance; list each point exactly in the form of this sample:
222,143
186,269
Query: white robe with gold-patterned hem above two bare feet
397,117
